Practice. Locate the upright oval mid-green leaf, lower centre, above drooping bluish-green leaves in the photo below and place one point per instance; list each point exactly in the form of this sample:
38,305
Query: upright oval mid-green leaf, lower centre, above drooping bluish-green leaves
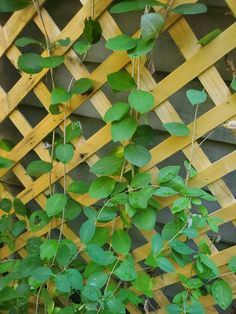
121,241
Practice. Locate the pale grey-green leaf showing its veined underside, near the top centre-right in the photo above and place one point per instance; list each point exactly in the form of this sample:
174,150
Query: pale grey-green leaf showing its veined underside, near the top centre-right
151,25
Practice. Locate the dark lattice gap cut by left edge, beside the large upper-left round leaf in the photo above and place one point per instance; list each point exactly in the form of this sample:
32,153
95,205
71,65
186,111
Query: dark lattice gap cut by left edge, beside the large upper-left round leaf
11,74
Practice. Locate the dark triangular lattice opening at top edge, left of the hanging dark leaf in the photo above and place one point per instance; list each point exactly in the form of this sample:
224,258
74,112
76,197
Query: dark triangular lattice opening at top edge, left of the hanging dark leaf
62,12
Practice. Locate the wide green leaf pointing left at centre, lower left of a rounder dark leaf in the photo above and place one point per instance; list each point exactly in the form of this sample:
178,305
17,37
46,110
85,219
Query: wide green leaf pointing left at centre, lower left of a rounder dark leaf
107,165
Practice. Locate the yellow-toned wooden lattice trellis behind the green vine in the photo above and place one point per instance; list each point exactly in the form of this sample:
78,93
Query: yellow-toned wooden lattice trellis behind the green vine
199,63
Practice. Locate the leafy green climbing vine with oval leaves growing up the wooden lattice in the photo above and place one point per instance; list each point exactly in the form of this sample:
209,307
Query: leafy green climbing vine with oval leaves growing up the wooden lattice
52,274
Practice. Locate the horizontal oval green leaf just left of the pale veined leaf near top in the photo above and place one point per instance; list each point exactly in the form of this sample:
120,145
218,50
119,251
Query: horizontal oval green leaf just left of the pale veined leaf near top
121,42
